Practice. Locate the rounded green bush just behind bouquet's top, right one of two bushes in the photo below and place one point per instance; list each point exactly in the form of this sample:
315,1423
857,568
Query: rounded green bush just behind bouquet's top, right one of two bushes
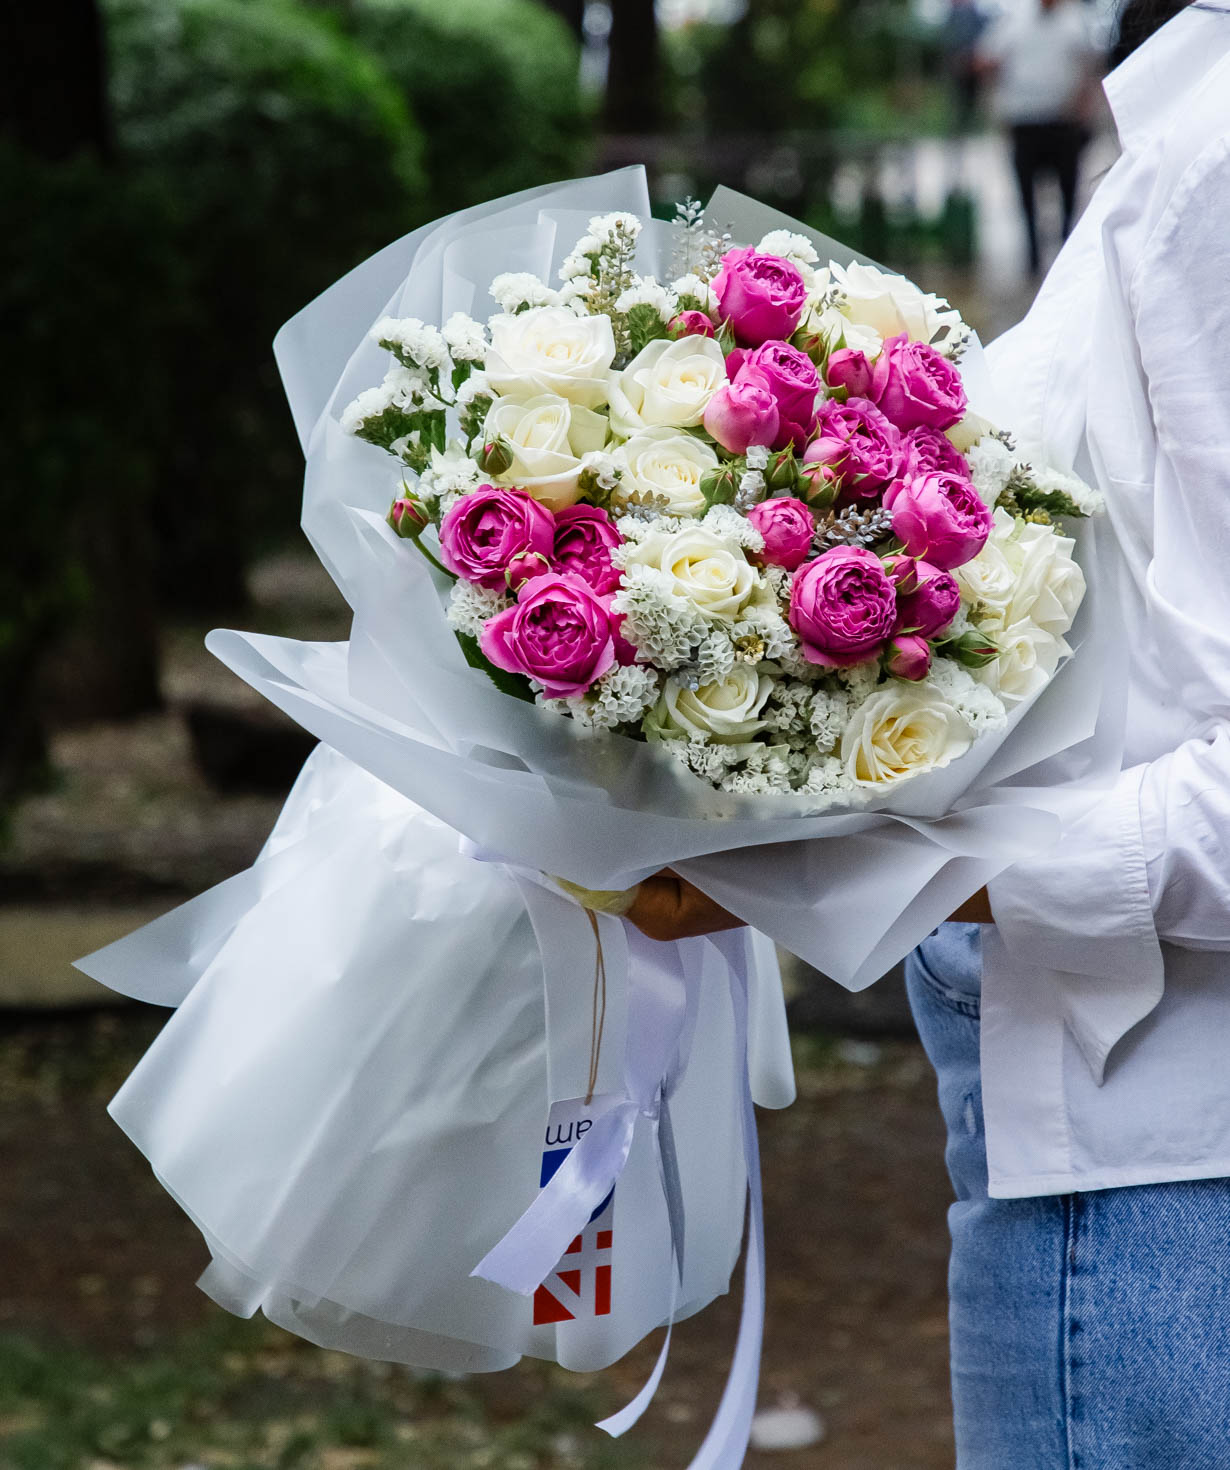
494,85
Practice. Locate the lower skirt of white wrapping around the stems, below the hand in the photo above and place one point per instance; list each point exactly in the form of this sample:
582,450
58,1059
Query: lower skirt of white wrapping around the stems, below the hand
350,1097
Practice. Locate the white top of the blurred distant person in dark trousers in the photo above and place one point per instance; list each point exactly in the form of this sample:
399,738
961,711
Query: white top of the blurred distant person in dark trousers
1044,60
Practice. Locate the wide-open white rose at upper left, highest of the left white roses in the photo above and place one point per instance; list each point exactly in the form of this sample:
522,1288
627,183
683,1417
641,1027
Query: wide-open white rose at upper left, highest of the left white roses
552,349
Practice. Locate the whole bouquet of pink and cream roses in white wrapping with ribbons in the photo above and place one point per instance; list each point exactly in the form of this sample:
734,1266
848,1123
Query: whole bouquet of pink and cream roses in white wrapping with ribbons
705,551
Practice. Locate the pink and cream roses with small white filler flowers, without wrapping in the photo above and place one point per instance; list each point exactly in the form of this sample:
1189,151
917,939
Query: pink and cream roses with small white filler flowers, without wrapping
746,514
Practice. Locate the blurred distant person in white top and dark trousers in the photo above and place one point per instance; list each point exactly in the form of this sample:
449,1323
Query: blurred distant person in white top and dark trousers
1044,62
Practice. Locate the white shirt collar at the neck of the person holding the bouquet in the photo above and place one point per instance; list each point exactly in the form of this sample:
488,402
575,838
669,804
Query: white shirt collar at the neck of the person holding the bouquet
1146,89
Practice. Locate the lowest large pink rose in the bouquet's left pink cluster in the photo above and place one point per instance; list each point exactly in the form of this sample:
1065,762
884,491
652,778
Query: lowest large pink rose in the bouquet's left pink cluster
559,633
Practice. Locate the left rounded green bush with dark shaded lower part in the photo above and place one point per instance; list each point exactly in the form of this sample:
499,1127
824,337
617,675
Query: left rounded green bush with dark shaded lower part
286,155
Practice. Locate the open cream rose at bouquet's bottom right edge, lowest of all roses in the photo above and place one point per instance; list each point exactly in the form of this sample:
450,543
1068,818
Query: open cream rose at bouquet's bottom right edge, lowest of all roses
903,730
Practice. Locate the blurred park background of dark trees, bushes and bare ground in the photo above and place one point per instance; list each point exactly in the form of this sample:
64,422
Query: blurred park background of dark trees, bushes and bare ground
179,177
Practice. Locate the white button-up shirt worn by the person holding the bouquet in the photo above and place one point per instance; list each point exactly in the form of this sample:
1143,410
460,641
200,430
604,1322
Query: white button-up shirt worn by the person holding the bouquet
1106,1039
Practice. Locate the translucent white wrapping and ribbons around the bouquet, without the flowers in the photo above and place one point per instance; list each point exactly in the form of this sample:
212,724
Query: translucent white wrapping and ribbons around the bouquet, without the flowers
374,1021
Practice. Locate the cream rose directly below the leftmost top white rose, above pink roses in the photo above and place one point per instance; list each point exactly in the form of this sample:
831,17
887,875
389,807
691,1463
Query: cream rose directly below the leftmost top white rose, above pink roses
550,440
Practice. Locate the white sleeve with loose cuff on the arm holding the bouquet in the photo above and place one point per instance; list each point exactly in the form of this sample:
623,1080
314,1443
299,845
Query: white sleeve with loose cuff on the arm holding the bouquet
1147,865
